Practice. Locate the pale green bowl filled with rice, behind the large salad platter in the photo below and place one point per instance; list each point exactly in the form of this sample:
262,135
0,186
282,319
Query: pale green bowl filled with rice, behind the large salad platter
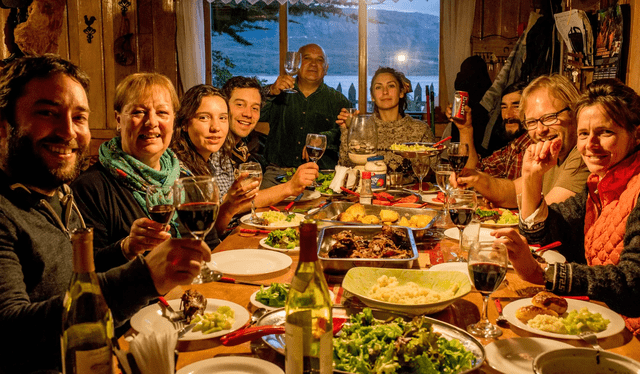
408,291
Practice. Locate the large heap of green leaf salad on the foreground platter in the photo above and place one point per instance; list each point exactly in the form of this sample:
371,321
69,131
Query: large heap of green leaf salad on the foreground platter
366,345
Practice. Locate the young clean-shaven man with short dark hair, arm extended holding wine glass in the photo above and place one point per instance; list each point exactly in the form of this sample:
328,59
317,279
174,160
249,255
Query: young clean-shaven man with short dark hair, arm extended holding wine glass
245,101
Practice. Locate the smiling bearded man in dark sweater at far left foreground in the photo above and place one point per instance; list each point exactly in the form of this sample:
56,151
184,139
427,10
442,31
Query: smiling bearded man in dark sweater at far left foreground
44,134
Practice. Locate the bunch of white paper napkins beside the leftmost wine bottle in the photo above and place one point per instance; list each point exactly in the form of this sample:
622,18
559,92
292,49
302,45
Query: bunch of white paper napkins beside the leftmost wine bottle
155,352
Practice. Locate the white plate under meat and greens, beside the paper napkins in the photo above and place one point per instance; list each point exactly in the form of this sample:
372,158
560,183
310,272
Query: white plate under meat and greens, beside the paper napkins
150,319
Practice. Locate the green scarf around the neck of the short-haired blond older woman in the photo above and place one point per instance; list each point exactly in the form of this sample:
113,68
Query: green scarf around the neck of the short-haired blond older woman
137,176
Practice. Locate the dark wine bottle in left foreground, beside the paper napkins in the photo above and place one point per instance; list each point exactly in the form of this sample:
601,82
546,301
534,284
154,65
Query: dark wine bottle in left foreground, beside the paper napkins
87,324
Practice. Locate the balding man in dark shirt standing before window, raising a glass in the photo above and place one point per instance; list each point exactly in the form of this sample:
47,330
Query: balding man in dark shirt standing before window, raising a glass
291,116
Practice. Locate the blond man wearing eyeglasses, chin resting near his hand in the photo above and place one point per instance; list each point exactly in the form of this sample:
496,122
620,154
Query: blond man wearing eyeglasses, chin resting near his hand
546,108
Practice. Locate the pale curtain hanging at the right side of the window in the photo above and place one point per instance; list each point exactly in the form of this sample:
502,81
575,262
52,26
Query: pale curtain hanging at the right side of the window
456,25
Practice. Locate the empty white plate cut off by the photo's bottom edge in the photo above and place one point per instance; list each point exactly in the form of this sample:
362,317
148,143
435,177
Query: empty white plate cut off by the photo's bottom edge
231,365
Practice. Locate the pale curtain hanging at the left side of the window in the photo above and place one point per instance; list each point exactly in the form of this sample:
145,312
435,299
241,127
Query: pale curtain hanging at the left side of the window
190,43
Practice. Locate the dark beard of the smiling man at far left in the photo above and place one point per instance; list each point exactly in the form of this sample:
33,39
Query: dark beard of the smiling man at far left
27,167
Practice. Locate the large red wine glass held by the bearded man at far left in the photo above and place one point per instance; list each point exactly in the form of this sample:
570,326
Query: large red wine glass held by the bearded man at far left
197,200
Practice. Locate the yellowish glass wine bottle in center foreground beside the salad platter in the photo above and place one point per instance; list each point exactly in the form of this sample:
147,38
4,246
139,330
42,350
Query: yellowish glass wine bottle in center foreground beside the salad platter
308,326
